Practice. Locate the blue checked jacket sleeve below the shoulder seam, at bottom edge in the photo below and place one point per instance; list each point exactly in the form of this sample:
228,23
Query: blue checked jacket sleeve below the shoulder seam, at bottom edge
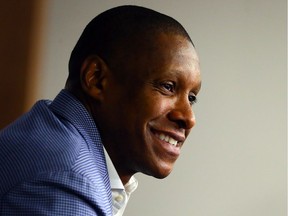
75,192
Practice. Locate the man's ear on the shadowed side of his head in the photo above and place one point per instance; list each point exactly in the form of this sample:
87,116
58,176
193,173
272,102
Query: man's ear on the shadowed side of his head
93,78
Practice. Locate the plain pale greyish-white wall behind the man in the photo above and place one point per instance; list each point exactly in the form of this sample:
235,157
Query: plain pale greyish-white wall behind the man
234,163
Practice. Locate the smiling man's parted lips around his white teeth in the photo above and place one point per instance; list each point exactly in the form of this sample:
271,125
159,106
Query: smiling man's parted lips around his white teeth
171,150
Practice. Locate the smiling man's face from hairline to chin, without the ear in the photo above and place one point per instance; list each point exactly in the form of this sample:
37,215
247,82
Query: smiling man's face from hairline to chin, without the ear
149,114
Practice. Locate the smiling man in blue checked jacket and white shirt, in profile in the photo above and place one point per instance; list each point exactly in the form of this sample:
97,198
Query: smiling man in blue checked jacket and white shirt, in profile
127,105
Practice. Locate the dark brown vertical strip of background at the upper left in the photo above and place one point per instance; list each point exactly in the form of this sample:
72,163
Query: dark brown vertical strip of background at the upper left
17,19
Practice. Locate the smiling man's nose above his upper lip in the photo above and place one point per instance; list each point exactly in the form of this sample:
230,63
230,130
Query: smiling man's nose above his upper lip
183,114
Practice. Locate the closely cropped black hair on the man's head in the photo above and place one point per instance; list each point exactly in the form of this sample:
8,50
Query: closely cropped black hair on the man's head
116,27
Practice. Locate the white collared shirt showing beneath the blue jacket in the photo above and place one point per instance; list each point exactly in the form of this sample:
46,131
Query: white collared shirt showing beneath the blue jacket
120,193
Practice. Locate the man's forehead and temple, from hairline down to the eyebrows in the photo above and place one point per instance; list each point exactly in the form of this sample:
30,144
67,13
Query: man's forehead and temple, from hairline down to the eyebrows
156,57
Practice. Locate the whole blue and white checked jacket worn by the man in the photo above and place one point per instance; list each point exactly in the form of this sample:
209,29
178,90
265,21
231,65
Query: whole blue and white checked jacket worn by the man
52,162
